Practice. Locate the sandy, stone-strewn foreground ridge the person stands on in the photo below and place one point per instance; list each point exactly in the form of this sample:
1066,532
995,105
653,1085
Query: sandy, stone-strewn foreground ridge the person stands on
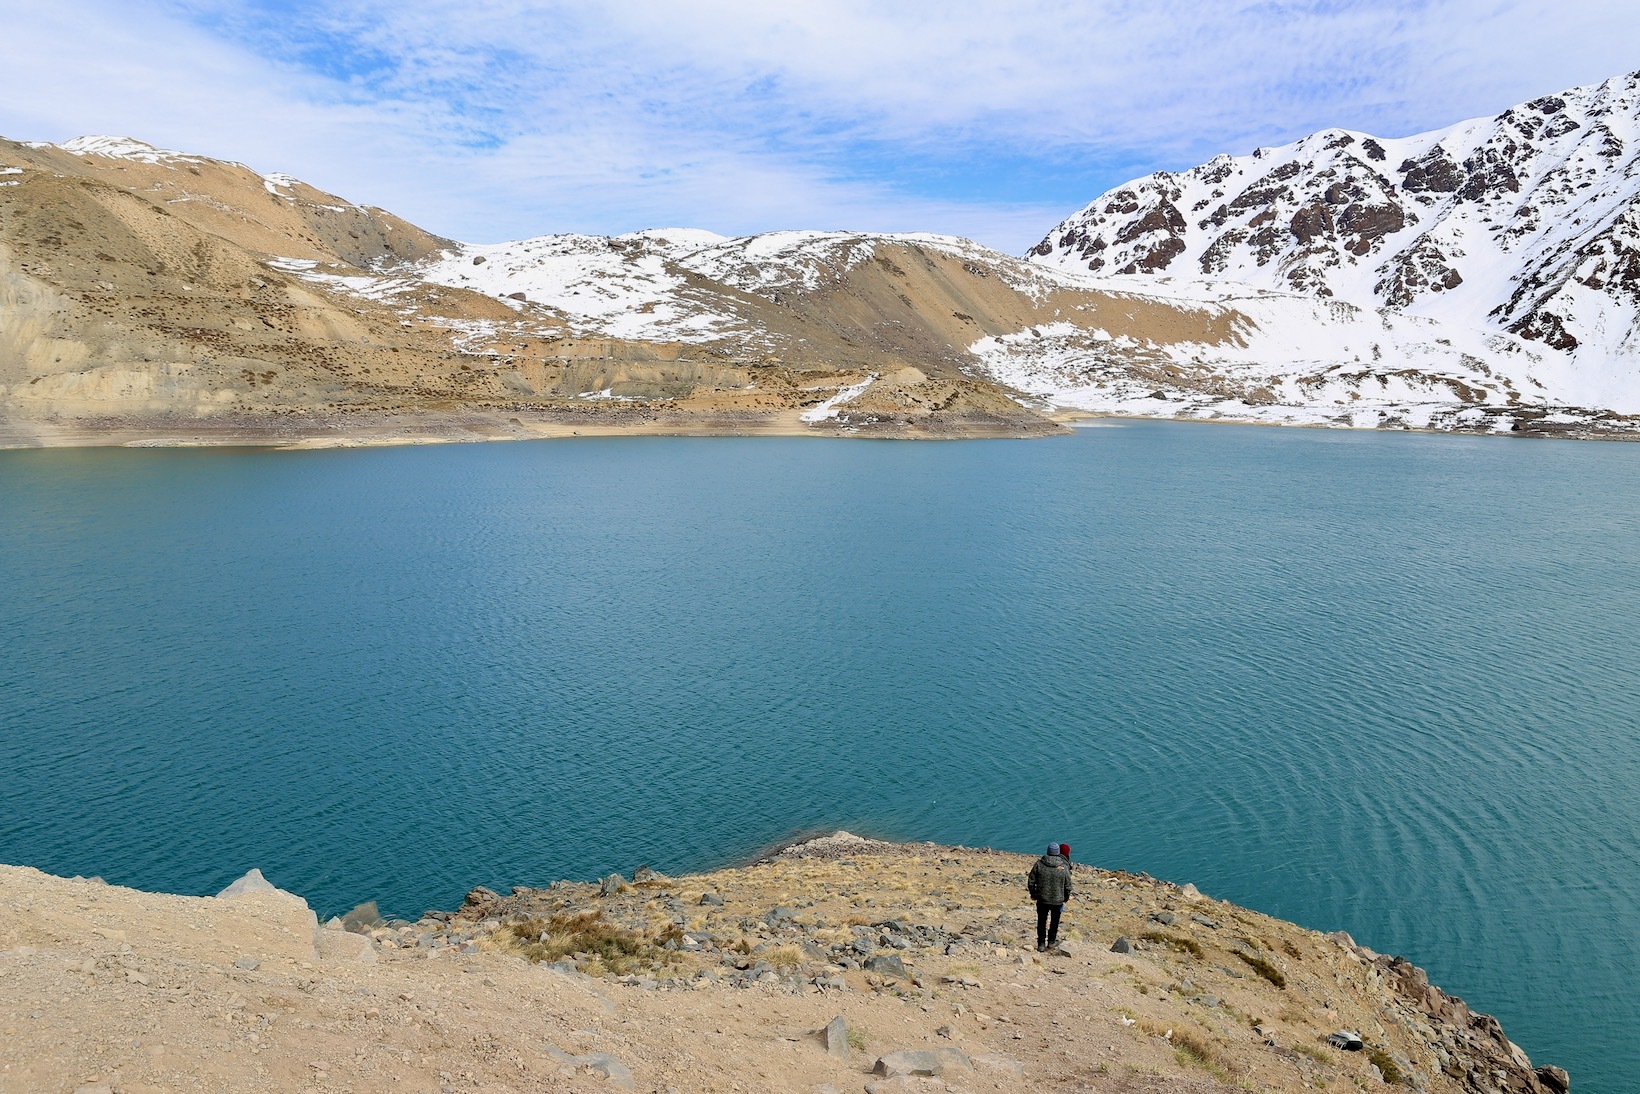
837,965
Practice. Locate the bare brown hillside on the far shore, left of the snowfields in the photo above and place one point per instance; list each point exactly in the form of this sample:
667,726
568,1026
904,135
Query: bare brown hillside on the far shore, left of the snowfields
193,301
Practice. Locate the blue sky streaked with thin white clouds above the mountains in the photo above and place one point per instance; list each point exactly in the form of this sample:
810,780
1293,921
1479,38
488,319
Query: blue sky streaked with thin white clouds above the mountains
490,121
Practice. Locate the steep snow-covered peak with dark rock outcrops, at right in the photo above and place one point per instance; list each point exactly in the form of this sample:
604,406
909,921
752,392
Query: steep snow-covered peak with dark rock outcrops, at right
1521,230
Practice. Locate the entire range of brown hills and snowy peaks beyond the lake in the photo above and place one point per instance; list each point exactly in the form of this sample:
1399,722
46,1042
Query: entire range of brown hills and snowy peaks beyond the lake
160,289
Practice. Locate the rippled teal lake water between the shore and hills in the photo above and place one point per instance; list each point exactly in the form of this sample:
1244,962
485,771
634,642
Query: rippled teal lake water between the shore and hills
1382,683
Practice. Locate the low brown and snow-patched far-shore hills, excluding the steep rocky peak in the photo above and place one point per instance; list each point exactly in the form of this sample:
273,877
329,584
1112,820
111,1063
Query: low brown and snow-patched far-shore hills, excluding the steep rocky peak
155,298
